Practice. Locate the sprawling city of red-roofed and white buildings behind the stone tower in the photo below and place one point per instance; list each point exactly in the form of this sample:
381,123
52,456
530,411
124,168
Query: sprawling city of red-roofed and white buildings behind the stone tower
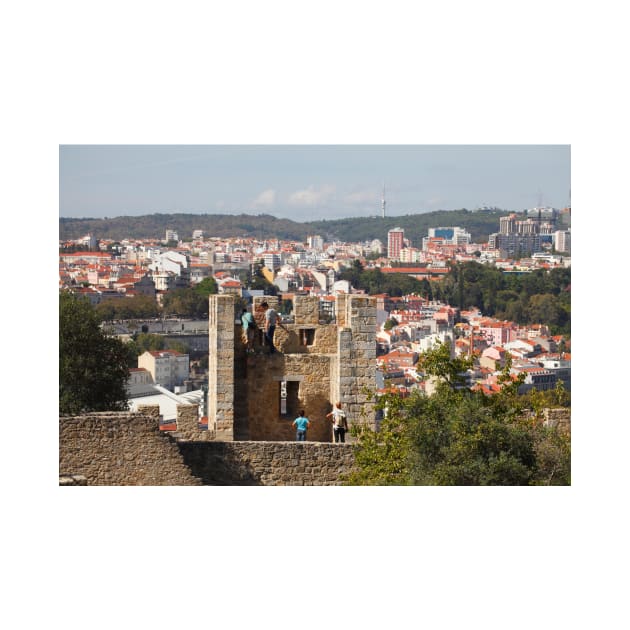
116,276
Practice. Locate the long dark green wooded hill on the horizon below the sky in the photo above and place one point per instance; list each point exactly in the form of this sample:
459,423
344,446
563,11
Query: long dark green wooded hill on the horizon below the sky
479,224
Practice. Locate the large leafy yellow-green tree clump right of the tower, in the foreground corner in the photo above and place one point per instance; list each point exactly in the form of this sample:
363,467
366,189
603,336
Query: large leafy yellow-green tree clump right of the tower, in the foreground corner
462,437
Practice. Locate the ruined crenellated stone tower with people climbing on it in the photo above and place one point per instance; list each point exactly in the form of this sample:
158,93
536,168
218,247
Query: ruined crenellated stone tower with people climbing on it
257,396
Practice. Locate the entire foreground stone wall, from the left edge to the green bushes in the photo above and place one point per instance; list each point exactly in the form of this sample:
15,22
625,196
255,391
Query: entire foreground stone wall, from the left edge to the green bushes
128,449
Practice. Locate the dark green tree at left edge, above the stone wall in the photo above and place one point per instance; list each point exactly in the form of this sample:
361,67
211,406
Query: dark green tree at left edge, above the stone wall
93,368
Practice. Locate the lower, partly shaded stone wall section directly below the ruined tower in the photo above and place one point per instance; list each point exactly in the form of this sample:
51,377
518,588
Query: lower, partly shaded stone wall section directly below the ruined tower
268,463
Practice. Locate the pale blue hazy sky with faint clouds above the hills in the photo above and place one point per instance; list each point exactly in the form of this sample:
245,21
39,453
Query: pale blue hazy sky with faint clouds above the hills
303,182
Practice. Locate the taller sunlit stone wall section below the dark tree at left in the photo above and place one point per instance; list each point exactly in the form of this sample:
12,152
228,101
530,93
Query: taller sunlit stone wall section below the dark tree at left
120,449
